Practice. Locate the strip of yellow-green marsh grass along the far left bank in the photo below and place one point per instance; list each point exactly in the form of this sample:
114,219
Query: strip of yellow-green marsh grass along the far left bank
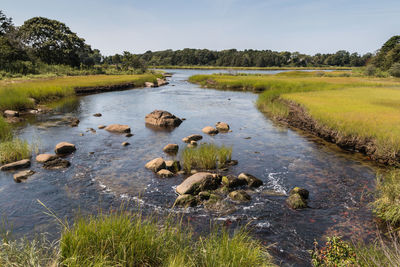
19,95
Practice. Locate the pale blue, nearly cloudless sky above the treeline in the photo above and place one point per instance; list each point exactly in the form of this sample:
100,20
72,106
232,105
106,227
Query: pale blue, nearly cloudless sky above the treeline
307,26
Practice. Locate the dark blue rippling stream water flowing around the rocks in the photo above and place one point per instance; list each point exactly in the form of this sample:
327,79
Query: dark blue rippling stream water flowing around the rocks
339,182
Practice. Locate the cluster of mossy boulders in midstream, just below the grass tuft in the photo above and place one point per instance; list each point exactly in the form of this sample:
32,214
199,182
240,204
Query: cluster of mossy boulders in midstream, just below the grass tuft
208,188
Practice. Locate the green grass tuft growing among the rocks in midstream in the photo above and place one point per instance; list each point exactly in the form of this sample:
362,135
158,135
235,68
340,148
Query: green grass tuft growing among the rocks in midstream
205,157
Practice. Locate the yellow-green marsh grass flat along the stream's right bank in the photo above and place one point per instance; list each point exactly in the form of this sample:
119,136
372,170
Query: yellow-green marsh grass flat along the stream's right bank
355,108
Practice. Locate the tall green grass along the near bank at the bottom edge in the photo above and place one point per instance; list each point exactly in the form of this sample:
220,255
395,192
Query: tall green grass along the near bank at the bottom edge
123,239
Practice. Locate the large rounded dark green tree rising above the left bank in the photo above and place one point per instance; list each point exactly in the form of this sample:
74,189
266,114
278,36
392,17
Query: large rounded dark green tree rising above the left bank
52,41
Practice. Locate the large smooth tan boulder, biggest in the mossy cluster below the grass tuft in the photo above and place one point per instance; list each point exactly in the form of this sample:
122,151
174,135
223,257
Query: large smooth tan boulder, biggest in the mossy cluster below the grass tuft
201,181
